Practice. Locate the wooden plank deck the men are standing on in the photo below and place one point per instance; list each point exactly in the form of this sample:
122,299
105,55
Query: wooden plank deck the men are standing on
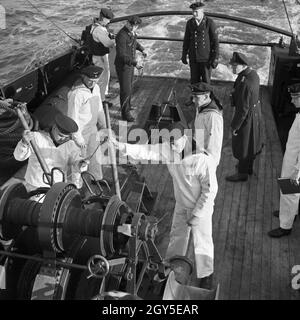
248,263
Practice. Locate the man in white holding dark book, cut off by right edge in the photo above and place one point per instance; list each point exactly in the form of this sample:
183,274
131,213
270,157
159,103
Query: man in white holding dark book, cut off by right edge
289,203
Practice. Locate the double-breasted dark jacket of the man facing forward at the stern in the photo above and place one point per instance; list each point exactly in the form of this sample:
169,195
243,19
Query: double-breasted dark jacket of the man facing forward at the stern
201,42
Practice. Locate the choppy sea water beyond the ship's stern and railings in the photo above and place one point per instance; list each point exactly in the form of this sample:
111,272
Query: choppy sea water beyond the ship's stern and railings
27,36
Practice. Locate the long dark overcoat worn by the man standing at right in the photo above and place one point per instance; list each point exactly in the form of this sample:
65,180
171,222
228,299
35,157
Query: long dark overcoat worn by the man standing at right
247,117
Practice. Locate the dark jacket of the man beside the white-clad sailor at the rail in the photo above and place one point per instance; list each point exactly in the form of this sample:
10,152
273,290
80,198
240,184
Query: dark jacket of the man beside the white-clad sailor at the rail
126,46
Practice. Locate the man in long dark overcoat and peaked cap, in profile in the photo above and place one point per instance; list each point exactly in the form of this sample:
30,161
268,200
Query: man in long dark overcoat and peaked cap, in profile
246,121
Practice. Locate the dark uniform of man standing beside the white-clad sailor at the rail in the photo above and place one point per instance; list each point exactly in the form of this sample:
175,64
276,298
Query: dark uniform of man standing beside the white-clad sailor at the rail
125,61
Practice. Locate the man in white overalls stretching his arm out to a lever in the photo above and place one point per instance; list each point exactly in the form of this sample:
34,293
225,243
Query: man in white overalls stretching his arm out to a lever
195,188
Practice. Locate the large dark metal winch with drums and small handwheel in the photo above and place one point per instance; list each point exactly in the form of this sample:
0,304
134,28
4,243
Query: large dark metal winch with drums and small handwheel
63,246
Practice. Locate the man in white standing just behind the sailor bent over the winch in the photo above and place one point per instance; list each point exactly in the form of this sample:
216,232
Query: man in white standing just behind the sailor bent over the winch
85,107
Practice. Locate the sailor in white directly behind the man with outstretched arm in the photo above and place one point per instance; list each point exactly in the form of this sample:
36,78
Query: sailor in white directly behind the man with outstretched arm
208,123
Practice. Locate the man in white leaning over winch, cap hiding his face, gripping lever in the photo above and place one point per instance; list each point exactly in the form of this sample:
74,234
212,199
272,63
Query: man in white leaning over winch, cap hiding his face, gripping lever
56,147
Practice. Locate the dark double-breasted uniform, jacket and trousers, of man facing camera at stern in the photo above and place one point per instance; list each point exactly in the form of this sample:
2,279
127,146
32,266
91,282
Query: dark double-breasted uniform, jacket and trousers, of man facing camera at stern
202,47
